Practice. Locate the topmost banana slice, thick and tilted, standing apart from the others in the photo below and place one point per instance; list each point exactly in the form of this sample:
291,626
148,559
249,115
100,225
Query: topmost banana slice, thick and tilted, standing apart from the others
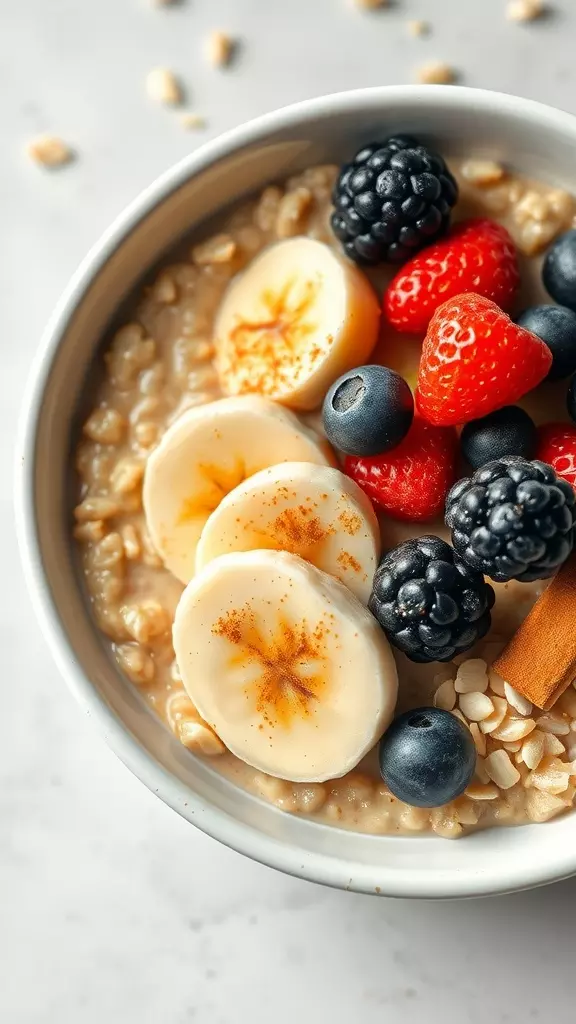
297,319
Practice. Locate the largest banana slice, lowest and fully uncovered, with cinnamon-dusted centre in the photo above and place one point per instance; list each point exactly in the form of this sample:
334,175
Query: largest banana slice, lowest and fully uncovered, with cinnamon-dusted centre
285,664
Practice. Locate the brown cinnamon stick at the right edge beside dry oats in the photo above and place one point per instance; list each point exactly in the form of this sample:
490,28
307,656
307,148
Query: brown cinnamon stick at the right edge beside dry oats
541,660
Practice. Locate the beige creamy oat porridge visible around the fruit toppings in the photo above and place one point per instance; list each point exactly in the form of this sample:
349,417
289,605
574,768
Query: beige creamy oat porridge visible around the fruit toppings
158,366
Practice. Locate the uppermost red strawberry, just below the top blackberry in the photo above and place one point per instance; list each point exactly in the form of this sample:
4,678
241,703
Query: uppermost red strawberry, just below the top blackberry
478,257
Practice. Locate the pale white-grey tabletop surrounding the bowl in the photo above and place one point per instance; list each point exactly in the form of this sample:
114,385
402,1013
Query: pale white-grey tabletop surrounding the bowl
112,909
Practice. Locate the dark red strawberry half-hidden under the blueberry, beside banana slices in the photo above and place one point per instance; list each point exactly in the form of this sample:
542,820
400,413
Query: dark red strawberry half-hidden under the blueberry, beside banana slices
410,483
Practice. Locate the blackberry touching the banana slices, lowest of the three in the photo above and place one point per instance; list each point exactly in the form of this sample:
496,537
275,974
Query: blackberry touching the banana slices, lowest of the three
429,603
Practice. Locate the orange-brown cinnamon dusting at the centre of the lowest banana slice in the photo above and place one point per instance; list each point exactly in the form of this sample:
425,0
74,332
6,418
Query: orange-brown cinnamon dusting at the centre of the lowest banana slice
281,693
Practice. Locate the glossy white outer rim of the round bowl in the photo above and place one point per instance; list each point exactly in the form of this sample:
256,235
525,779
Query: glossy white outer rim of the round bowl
242,838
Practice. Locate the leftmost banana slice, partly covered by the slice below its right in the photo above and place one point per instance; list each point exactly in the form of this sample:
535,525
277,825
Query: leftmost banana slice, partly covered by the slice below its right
207,453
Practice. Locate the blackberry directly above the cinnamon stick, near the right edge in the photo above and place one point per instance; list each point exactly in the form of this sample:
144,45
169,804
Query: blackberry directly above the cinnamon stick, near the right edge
514,520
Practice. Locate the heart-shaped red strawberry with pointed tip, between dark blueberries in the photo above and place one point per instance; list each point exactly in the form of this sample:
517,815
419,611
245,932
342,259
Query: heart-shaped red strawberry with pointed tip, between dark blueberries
475,361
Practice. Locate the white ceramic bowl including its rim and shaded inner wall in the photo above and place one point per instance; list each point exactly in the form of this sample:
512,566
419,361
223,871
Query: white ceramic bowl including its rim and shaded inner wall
538,141
